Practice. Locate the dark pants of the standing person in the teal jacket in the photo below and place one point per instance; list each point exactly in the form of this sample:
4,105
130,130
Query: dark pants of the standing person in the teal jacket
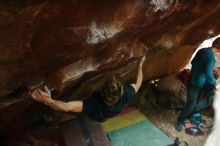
194,104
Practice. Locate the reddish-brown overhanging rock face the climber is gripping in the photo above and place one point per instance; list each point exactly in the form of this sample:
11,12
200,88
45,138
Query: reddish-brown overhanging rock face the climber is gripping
72,45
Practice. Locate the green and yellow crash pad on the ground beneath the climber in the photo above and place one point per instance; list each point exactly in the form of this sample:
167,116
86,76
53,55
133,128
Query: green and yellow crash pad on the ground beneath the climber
139,133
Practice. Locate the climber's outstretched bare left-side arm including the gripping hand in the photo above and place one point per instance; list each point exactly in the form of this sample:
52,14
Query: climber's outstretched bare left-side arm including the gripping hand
45,98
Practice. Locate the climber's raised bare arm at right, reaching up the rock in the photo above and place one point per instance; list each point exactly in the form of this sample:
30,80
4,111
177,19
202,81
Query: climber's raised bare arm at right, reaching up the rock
139,78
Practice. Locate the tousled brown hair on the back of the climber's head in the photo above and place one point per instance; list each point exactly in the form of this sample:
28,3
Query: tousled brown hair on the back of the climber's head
112,89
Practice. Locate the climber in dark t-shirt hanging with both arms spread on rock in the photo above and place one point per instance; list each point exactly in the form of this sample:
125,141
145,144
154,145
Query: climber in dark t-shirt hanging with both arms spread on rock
107,103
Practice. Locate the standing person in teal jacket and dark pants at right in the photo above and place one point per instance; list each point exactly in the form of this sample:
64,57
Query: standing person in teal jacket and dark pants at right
201,79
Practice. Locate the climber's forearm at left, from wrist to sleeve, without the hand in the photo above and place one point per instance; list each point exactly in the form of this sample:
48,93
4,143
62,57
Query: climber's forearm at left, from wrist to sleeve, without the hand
73,106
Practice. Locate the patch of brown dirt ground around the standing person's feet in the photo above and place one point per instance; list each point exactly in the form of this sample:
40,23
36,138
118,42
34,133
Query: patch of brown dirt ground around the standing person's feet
165,120
